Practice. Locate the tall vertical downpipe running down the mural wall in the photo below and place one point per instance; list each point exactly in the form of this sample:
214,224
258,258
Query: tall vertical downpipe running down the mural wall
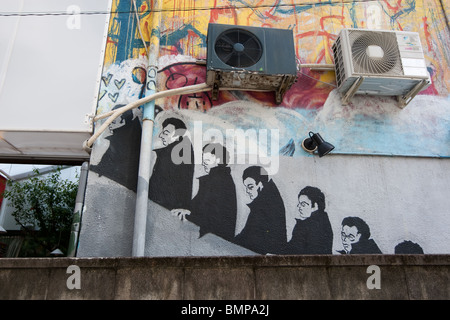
140,217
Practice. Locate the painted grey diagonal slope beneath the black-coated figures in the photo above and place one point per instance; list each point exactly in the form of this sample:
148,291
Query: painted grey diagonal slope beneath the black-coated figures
107,228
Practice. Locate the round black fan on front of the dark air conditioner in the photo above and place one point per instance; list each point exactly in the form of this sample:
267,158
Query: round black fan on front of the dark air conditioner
238,48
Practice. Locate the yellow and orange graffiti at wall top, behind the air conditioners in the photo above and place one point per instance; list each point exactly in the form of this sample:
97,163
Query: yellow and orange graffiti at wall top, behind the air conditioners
183,27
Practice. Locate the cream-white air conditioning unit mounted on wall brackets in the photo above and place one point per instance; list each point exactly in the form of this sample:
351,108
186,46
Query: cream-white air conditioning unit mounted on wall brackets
380,62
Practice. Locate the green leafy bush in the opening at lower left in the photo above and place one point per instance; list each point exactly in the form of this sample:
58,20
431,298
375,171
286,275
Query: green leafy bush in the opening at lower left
46,203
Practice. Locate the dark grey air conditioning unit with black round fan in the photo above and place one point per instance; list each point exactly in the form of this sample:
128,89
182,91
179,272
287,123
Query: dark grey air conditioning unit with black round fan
250,58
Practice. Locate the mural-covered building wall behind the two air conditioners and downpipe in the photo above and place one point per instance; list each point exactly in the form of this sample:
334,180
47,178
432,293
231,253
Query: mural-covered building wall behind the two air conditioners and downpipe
389,169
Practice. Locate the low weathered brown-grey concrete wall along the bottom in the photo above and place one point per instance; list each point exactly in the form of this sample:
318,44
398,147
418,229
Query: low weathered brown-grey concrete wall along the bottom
401,277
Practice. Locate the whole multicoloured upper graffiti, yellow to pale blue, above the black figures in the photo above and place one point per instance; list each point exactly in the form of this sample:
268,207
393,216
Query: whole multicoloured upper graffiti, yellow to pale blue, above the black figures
182,28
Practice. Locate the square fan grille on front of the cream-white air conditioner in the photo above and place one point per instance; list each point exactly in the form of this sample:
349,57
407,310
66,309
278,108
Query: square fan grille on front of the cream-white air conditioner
375,53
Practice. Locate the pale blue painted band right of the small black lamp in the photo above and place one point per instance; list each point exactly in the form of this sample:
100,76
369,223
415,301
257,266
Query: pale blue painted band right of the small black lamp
380,135
